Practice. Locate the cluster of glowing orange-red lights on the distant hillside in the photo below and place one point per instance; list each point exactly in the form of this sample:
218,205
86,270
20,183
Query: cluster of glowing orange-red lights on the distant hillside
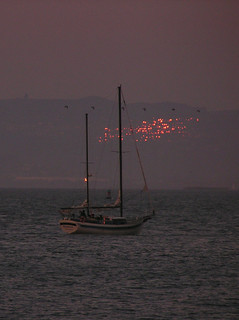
153,130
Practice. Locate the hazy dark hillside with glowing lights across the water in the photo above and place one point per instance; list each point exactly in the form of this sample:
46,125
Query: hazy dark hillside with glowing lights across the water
181,146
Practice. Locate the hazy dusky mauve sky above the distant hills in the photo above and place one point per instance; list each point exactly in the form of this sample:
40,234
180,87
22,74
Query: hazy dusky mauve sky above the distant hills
163,50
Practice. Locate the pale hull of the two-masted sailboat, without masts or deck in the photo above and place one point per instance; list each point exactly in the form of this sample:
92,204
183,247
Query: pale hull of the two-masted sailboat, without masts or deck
72,226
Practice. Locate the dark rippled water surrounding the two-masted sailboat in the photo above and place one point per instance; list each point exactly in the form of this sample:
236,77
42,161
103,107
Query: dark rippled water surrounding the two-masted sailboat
184,264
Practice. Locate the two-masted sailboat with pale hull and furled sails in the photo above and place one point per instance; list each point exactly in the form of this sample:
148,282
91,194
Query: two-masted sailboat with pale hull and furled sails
82,219
